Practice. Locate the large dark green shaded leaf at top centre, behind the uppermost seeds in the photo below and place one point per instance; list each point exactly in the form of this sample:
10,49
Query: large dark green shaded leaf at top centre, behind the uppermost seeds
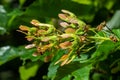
42,8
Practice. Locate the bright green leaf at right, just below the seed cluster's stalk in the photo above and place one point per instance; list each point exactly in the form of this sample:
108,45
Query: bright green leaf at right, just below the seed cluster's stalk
103,50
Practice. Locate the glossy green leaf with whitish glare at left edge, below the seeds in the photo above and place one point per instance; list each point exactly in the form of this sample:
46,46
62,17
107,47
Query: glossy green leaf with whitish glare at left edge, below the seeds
8,53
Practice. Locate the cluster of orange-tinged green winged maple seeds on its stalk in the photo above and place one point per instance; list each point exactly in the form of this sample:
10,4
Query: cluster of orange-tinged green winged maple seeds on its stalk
74,37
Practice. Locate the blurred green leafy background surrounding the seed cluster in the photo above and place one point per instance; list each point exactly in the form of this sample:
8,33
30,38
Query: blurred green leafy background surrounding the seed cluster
103,63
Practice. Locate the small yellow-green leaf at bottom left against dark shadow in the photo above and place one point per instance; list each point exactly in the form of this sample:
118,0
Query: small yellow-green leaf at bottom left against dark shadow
26,73
